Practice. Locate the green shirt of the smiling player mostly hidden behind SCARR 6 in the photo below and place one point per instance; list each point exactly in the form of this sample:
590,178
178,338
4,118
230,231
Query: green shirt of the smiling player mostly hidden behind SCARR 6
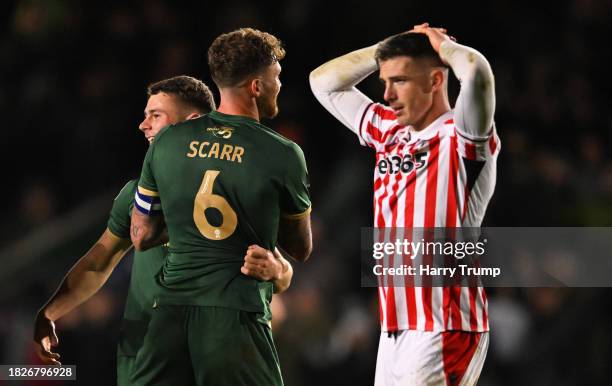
145,268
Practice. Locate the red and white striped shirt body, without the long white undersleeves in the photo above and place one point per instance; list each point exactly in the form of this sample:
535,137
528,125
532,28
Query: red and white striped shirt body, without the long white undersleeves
448,184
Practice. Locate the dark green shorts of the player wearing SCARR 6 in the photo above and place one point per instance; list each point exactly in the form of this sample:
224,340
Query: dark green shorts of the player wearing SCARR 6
200,345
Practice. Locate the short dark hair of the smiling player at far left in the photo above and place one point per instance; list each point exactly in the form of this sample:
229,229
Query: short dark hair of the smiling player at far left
190,91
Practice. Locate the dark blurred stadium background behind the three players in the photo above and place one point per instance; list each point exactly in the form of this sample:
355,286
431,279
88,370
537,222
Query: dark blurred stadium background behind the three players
72,90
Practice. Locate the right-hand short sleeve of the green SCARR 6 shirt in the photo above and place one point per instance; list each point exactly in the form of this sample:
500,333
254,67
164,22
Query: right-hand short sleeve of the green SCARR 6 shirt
295,198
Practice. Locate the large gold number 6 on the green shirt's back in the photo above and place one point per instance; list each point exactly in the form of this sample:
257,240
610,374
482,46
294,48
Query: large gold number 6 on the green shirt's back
206,199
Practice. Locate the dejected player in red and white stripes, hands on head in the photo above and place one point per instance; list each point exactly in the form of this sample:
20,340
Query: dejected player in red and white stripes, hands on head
430,336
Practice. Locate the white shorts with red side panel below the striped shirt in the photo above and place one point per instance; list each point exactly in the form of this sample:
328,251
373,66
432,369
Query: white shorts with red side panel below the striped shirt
430,358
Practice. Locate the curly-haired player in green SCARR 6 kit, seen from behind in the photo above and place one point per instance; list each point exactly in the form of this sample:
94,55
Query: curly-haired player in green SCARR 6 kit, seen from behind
220,183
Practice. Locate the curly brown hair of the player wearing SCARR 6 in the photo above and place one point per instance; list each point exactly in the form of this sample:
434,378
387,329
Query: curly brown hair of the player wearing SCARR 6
233,56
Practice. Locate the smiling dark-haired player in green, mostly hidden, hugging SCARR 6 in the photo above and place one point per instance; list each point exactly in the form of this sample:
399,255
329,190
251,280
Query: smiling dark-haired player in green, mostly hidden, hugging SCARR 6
169,101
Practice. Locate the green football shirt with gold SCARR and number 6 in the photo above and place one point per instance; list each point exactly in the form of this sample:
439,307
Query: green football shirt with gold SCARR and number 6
223,181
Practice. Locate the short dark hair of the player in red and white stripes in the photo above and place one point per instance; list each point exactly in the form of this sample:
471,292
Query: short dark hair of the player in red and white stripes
414,45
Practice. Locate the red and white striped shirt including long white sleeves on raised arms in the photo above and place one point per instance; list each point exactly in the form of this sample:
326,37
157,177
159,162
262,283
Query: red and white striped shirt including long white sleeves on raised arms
441,176
